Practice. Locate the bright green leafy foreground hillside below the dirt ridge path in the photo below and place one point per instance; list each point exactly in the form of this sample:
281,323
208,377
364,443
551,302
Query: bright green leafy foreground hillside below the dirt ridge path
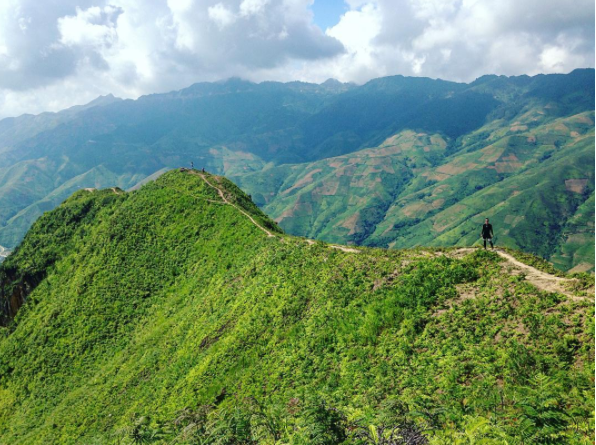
171,318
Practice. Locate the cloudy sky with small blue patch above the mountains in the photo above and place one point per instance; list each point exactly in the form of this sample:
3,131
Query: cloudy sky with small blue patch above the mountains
59,53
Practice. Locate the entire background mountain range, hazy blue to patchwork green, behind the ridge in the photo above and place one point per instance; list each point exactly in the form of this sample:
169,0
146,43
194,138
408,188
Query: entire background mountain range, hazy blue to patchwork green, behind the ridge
396,162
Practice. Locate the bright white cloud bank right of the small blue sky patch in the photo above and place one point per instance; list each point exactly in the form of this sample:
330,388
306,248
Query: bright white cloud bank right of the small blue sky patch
460,39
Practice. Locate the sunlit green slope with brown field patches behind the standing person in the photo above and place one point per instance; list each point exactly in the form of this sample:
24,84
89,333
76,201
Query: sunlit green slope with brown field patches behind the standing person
532,175
